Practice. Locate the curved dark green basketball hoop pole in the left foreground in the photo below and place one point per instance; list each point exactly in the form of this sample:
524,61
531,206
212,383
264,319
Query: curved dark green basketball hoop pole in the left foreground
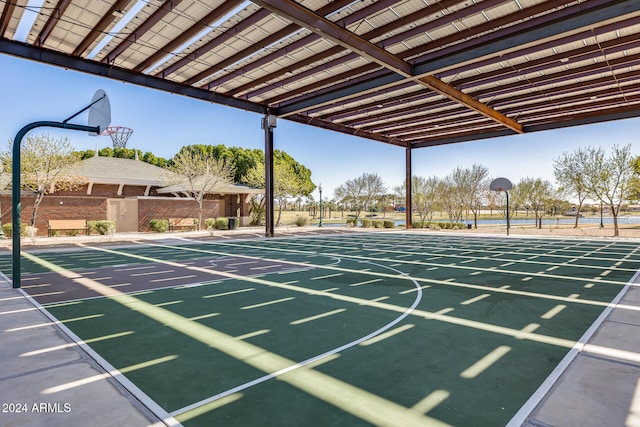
15,186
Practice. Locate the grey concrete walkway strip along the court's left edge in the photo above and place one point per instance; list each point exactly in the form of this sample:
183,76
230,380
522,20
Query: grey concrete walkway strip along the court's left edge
46,380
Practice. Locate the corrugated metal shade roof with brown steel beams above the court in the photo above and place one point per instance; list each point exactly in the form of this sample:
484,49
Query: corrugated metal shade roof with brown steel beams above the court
410,73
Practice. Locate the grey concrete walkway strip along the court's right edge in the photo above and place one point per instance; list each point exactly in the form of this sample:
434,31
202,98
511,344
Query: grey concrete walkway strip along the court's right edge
601,385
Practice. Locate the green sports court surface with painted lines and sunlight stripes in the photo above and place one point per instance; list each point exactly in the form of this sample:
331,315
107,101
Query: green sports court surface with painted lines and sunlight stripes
359,329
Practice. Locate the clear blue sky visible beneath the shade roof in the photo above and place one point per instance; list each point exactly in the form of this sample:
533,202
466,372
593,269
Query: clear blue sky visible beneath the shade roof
162,123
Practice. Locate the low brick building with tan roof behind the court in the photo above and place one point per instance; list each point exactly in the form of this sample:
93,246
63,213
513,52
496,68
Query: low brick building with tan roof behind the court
131,193
